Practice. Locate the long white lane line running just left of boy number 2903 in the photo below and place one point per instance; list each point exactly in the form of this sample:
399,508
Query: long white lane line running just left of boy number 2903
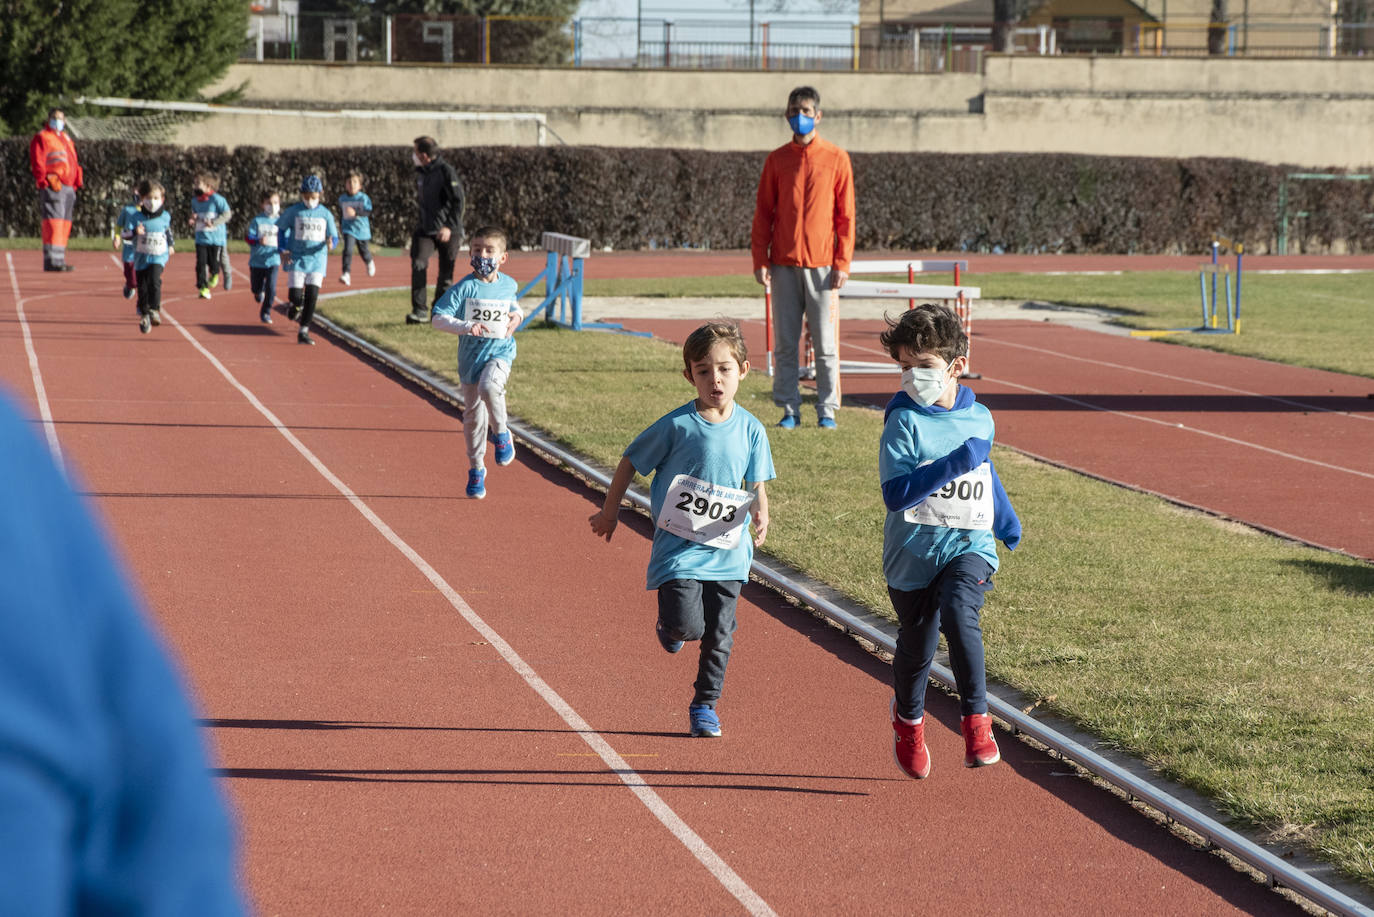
653,802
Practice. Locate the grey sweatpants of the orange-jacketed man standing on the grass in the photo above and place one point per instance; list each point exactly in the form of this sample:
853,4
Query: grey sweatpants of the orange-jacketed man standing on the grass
804,292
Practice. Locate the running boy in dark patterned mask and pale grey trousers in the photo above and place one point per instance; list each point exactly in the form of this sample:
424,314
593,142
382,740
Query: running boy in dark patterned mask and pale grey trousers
483,309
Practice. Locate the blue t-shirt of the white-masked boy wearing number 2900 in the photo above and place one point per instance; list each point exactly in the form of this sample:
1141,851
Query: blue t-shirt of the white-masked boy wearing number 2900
914,553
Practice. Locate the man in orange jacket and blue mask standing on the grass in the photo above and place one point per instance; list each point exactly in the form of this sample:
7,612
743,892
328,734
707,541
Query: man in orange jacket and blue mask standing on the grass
803,243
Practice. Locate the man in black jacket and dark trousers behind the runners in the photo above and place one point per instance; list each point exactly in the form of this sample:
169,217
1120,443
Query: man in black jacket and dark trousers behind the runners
439,226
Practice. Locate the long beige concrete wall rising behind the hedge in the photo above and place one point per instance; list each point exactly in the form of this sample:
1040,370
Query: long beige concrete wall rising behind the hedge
1314,113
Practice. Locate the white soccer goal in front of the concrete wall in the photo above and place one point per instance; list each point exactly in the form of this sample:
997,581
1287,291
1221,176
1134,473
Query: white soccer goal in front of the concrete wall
229,126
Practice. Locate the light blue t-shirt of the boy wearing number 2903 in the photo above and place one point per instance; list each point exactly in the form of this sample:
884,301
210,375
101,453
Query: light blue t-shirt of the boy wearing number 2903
726,454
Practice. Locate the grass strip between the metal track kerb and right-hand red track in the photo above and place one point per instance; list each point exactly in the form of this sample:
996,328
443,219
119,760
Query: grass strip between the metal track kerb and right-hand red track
1236,663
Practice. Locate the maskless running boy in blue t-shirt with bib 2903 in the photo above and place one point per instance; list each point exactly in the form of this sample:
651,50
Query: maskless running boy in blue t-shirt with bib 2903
710,460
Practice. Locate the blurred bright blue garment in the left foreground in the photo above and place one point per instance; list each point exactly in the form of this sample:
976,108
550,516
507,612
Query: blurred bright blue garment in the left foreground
106,799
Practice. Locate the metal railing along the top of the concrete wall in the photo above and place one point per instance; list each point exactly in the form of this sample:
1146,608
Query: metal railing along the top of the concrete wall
732,45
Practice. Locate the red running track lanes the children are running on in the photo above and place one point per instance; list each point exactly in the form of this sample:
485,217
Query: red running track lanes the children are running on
380,742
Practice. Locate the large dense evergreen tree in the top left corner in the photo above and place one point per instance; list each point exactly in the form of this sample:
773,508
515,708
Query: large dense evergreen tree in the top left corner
54,52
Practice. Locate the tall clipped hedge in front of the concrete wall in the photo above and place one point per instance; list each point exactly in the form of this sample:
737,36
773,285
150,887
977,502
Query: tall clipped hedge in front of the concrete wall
637,199
